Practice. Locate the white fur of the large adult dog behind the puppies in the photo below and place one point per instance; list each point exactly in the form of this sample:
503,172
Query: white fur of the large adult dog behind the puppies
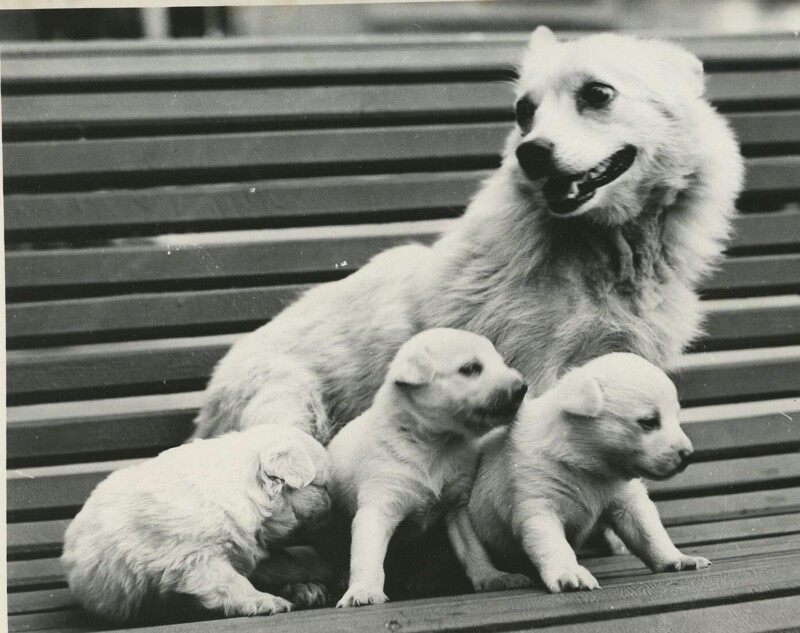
549,292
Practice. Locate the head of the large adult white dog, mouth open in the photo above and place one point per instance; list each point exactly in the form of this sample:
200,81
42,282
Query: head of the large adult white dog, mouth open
601,121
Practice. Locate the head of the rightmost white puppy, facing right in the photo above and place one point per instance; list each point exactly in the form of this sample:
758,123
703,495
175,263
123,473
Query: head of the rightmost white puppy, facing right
624,412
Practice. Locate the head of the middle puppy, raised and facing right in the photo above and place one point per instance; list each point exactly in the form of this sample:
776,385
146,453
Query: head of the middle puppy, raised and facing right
456,381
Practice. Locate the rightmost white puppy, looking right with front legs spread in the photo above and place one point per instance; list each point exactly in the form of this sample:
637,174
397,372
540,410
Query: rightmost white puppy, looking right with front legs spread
574,457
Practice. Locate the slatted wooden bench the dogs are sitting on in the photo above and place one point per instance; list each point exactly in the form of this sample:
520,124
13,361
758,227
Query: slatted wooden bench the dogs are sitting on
163,198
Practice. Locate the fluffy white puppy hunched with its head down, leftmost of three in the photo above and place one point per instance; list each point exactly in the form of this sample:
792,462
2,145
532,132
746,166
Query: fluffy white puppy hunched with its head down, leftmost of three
195,521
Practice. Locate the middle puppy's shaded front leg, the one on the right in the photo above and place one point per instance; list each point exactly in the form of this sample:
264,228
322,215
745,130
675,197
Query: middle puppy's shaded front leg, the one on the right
483,575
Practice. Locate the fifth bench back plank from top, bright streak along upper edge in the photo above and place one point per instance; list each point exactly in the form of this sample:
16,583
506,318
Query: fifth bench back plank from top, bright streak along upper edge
274,252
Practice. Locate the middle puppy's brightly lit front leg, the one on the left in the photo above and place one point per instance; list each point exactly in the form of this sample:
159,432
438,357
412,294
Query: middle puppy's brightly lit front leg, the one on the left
373,527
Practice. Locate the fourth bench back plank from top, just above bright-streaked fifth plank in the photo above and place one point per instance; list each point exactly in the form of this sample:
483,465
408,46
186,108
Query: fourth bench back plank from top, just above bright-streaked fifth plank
289,200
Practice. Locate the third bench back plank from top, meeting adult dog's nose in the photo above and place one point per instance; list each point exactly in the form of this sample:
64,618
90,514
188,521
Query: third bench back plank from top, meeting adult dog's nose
263,154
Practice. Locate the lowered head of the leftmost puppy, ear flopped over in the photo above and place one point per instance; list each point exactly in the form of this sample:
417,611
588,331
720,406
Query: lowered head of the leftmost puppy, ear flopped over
294,469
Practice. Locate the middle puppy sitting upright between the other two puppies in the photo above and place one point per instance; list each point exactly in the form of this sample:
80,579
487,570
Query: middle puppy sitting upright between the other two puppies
413,454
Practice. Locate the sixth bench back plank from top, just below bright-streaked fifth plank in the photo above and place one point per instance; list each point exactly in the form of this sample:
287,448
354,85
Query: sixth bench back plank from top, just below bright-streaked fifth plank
729,322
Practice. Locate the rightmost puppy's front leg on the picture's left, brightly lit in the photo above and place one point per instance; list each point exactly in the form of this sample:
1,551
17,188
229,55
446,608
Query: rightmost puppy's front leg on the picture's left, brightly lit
544,541
